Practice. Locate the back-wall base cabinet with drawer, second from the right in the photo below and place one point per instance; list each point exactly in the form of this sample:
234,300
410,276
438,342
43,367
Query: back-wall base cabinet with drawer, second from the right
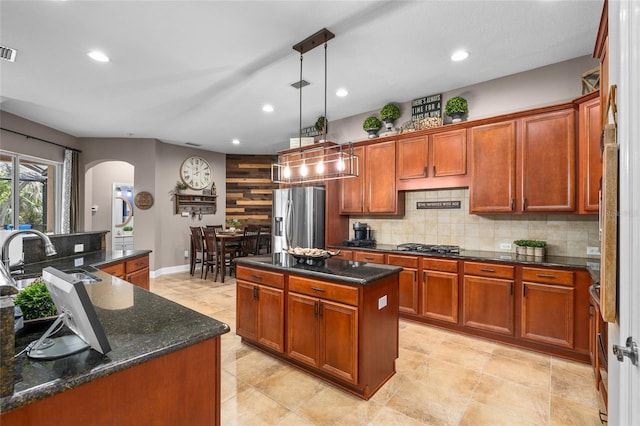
488,297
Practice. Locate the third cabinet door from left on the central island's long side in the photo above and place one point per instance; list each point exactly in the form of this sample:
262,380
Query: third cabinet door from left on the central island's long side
302,329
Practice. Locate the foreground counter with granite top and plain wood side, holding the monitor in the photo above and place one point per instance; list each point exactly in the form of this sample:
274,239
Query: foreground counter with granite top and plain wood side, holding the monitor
164,366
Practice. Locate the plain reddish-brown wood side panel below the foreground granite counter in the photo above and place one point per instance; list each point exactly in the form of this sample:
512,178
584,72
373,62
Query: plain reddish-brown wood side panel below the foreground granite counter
182,387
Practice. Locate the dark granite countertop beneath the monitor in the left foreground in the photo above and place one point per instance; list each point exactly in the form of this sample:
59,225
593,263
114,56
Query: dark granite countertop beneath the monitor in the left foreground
141,326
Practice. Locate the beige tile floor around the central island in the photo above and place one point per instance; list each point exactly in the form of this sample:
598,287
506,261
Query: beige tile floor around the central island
442,378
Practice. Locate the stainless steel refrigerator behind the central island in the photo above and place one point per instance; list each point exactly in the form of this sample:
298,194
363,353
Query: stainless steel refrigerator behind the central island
298,218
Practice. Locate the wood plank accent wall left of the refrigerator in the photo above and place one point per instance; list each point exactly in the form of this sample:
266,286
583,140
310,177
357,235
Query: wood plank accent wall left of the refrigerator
249,196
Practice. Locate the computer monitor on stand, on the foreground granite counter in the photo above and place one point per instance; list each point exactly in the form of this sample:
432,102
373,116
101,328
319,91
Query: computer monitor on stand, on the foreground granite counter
76,311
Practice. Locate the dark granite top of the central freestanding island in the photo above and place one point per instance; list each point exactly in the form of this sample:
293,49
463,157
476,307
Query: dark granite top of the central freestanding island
338,270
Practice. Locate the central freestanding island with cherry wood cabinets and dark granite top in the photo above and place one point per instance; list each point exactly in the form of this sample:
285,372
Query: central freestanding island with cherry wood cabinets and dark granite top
336,319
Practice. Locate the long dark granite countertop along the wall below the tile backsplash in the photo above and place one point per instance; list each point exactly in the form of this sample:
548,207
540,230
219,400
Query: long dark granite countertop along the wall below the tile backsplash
493,256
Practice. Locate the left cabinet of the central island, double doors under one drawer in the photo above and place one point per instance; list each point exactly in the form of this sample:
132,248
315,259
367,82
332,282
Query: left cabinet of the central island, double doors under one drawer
260,307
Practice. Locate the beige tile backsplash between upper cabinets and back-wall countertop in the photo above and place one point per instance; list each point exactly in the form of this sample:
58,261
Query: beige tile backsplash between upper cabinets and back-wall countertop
565,234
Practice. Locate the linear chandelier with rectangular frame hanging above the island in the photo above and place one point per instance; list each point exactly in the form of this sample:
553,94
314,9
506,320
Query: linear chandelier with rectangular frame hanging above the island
327,161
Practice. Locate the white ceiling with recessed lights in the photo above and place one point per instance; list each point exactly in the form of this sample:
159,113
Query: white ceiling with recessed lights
200,71
